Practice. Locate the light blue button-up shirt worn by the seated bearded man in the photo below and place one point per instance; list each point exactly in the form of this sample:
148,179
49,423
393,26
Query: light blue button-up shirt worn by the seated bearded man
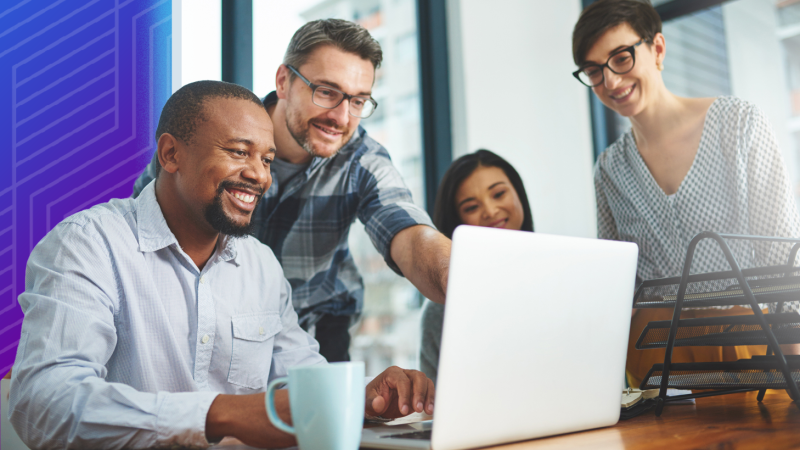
126,343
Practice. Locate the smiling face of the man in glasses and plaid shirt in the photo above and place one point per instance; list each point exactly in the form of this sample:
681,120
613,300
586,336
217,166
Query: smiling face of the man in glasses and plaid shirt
323,132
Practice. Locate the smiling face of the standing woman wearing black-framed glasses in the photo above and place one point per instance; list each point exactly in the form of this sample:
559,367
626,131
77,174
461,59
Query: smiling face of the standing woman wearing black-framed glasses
629,93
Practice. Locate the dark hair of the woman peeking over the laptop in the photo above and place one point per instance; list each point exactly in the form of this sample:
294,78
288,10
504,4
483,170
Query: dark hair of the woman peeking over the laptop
445,213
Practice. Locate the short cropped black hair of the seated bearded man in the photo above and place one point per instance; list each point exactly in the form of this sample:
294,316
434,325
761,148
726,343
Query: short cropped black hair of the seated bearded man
184,108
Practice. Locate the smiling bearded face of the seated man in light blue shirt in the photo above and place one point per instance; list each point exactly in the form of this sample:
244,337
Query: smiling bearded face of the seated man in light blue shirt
224,171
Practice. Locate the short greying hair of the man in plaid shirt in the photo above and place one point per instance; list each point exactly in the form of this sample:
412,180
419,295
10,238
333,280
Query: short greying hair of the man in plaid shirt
342,34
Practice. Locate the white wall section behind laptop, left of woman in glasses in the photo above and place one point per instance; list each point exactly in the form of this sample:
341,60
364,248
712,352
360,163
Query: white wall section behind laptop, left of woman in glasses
513,93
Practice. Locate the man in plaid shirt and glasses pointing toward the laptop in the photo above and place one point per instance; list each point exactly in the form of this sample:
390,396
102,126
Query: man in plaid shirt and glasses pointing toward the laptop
327,173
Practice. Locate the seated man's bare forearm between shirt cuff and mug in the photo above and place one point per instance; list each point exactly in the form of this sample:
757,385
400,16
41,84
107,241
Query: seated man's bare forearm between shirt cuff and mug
245,418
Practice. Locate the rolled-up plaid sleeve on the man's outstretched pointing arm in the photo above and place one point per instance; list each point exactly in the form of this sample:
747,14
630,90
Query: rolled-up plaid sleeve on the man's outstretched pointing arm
385,207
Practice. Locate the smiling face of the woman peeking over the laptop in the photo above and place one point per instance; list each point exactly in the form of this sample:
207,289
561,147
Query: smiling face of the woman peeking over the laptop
487,199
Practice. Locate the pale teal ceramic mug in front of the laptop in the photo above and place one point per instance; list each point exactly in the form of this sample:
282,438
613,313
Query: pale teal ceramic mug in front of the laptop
327,404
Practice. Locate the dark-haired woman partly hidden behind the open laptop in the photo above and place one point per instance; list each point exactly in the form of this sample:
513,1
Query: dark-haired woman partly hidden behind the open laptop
480,189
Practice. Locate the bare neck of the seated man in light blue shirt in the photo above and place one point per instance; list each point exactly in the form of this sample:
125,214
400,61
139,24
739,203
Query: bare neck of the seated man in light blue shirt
194,234
